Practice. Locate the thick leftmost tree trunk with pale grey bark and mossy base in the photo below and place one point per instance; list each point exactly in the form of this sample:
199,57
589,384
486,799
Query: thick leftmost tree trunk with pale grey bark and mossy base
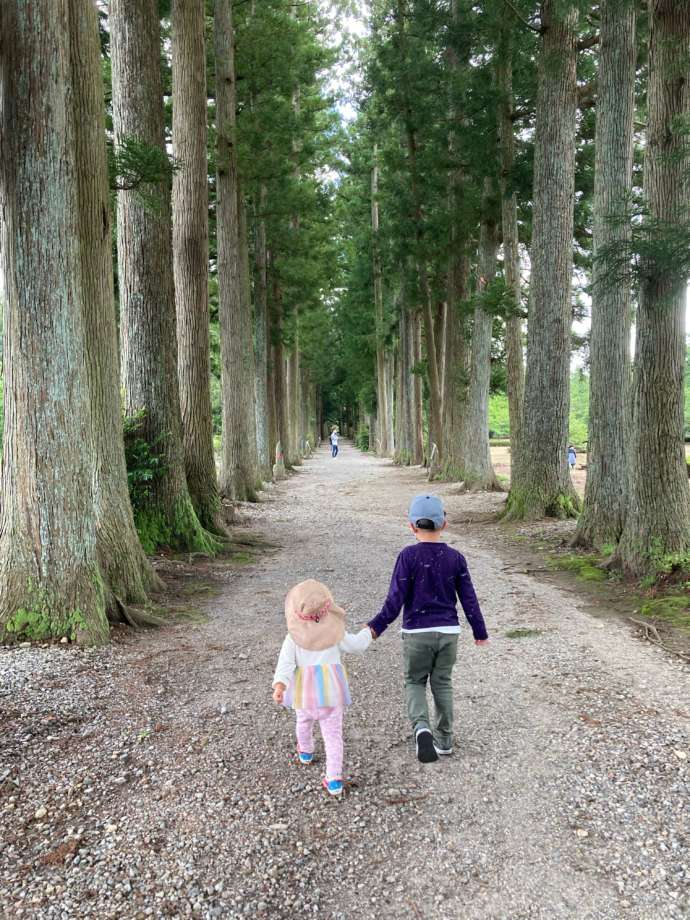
50,583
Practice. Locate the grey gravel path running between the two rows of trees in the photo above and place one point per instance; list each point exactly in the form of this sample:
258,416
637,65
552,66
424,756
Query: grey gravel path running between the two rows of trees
156,778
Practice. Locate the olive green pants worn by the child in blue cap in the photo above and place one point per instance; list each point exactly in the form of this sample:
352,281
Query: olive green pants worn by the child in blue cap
430,656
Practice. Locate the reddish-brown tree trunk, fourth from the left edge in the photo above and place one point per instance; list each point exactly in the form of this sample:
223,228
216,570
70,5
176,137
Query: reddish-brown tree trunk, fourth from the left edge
190,256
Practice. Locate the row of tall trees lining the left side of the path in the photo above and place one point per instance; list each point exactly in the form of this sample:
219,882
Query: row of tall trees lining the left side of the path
205,134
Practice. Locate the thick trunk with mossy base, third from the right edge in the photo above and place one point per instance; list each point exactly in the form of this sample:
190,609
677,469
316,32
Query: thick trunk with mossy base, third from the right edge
541,482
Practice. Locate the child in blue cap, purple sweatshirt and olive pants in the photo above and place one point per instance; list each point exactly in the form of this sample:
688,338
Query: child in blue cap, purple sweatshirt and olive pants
427,580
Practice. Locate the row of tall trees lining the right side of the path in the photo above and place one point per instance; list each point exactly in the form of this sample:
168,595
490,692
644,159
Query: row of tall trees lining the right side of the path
501,152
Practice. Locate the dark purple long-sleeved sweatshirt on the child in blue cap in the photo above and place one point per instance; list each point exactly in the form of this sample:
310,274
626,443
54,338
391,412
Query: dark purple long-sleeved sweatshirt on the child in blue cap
426,580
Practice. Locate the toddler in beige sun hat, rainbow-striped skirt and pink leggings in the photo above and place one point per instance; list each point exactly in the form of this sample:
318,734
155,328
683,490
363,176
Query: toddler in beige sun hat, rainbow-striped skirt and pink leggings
310,676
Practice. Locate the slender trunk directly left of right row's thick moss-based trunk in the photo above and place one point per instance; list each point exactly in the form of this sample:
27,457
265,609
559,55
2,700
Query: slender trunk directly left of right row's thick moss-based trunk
515,364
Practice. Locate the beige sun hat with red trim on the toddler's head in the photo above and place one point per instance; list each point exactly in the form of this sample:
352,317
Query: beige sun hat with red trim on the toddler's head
314,620
